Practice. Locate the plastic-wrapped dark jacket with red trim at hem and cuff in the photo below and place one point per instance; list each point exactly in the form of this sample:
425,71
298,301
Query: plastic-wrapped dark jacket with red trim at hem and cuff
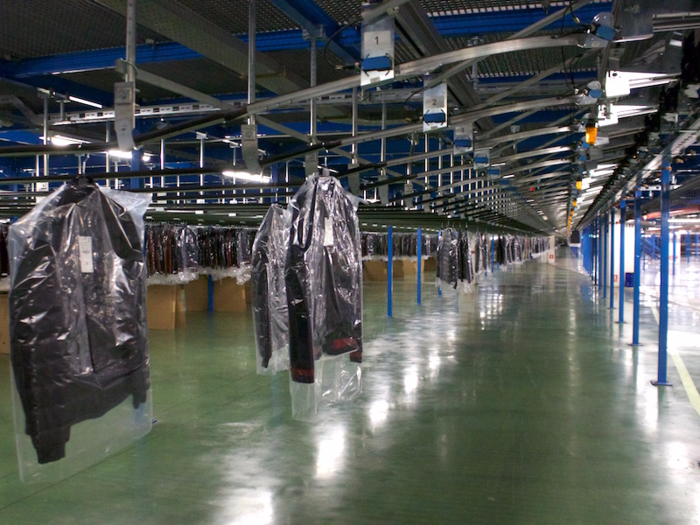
323,276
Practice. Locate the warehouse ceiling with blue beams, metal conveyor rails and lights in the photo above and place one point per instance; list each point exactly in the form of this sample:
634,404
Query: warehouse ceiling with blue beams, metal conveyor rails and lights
525,83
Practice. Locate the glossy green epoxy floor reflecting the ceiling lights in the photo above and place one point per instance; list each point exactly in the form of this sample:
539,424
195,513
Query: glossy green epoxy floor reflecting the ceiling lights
521,403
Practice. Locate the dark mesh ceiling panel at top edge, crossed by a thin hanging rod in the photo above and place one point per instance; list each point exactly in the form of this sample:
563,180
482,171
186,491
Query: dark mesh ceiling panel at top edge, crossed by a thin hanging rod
232,15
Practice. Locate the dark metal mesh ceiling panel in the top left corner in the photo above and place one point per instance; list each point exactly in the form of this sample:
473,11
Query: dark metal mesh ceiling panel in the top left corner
35,28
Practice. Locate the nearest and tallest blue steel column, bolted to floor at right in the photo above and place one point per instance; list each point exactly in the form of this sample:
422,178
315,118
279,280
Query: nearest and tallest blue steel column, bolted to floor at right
663,292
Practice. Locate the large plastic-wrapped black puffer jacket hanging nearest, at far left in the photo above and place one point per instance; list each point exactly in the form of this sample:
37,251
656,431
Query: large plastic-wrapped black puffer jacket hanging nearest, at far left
78,310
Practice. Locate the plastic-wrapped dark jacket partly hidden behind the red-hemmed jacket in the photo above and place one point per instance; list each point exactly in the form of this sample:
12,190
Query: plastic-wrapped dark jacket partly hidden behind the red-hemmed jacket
269,301
